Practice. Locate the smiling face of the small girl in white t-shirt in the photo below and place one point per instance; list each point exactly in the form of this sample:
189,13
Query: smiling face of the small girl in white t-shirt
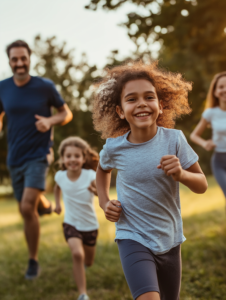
73,158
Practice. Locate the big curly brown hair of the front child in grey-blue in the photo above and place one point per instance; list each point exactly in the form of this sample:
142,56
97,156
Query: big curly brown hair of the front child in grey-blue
170,87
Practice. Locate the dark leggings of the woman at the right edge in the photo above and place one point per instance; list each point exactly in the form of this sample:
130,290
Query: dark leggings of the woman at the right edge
218,164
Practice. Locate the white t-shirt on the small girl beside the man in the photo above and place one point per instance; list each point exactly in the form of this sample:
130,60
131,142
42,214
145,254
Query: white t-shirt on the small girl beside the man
78,200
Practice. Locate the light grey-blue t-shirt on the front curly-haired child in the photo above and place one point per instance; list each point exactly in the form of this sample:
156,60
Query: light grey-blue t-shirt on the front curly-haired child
150,200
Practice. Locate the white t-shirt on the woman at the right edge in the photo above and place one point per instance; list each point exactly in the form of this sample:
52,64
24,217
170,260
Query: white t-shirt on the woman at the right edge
217,118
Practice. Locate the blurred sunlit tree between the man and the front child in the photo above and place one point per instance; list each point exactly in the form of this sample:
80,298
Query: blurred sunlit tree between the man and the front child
74,82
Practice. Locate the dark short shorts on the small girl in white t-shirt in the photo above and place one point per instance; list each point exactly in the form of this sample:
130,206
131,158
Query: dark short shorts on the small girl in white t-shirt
88,237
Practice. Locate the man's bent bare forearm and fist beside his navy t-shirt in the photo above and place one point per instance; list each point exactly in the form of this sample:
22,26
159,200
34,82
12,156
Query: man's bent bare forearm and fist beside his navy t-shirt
62,117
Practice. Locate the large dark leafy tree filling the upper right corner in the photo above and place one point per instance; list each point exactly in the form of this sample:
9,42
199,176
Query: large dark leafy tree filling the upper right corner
192,39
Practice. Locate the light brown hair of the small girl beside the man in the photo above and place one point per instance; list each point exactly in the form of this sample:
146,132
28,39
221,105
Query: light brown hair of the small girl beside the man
91,156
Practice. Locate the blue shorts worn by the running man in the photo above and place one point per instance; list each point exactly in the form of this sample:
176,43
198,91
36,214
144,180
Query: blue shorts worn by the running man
31,174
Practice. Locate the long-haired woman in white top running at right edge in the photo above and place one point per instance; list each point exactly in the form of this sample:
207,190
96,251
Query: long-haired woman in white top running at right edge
215,115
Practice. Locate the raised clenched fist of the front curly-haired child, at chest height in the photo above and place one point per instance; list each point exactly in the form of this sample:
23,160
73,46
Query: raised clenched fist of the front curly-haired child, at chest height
170,164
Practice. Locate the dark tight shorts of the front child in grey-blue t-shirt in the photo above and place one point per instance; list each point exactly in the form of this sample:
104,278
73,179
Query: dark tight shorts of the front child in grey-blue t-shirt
146,272
